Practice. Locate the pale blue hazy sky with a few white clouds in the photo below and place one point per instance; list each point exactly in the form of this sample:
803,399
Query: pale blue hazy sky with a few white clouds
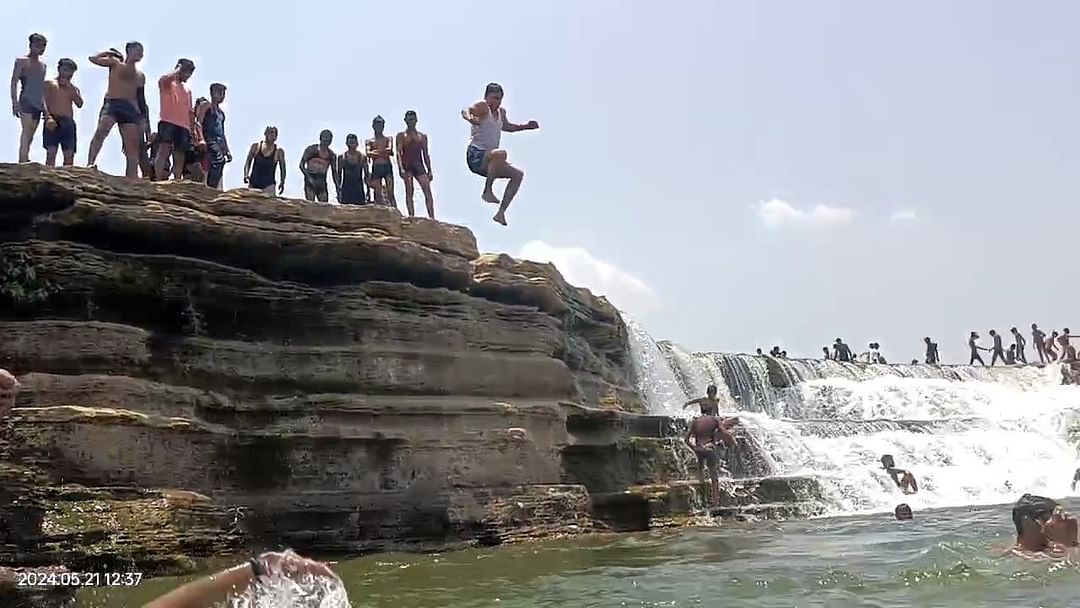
733,175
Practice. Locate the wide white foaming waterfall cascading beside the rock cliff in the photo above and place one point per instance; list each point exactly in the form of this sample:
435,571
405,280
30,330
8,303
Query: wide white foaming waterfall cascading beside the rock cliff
971,436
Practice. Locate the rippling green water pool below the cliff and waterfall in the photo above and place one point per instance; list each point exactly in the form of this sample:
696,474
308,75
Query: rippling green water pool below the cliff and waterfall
946,558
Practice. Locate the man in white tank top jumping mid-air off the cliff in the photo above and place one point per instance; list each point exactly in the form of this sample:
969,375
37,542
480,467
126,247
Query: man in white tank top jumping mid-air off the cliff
483,155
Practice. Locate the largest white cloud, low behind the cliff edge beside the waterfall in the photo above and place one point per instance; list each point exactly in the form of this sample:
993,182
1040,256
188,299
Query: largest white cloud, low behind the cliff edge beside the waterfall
583,269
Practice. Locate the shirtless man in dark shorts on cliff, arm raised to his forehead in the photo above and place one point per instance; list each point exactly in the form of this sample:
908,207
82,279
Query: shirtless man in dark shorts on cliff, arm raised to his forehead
125,106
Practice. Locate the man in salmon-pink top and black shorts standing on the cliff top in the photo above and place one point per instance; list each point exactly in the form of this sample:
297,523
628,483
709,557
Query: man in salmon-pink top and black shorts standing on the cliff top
177,127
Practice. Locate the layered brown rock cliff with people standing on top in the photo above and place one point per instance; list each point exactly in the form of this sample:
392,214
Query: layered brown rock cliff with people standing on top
206,372
